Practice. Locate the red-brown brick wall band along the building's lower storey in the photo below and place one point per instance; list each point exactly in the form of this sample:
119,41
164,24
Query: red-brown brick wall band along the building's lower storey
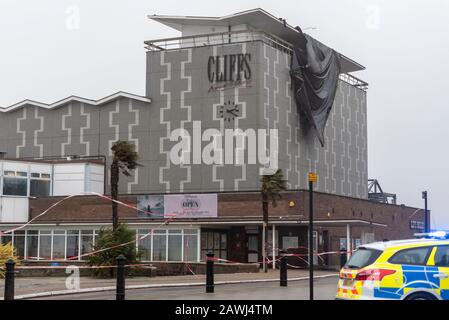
243,207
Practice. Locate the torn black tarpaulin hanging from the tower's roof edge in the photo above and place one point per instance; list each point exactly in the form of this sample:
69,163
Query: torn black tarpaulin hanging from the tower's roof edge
315,70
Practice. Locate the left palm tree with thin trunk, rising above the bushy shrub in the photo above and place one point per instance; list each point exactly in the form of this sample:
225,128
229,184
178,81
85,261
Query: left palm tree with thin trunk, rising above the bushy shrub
124,160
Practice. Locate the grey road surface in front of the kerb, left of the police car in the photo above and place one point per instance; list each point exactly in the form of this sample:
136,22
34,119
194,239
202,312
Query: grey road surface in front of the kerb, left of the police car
324,289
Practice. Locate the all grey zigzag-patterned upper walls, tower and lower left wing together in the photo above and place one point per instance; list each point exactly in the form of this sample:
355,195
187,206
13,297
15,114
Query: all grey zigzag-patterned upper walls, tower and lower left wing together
178,86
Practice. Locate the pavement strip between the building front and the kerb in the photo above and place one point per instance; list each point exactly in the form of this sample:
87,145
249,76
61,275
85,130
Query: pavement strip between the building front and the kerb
50,286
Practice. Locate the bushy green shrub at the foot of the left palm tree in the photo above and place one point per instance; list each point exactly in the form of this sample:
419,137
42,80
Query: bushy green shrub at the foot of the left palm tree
108,238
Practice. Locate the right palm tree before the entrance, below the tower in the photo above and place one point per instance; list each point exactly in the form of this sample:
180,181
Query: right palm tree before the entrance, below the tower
272,186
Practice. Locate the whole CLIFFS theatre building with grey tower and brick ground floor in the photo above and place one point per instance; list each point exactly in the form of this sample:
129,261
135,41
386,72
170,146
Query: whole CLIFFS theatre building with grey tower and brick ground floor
196,188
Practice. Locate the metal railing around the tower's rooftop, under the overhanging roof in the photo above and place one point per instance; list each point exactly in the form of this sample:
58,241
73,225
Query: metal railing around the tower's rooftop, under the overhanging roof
233,37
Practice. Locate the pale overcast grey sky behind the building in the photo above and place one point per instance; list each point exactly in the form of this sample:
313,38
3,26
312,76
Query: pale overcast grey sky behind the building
53,49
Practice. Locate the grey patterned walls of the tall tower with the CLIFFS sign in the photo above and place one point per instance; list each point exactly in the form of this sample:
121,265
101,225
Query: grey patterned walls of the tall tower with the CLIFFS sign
179,87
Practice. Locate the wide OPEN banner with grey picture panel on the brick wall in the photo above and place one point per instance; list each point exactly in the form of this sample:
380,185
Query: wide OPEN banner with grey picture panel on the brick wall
177,206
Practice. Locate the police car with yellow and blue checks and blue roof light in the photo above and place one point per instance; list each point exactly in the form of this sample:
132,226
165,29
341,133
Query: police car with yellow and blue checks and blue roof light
416,269
